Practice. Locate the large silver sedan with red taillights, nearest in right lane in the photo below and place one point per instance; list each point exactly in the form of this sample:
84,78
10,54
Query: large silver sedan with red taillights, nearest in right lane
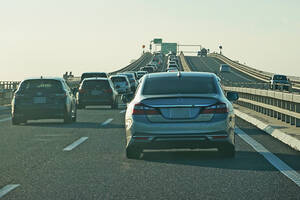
180,110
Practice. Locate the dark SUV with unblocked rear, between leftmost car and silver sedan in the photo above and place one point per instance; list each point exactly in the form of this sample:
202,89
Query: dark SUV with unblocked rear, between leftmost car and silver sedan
97,91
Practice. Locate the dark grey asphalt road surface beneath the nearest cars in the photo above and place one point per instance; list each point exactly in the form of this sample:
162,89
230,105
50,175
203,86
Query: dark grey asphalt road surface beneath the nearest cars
97,169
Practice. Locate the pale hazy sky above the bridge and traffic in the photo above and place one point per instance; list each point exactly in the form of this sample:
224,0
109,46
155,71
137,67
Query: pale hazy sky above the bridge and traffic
50,37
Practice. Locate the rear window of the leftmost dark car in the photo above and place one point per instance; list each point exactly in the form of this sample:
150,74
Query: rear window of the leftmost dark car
50,86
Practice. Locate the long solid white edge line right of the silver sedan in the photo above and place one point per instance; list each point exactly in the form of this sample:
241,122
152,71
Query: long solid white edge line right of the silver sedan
274,160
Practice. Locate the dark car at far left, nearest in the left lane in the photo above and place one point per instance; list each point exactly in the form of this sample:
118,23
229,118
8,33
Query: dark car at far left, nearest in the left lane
43,98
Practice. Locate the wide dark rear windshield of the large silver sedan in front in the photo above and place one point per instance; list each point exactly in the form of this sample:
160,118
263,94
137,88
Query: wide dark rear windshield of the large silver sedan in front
175,85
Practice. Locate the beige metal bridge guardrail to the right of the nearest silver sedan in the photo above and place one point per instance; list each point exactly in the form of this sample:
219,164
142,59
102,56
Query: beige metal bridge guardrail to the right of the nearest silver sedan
283,106
